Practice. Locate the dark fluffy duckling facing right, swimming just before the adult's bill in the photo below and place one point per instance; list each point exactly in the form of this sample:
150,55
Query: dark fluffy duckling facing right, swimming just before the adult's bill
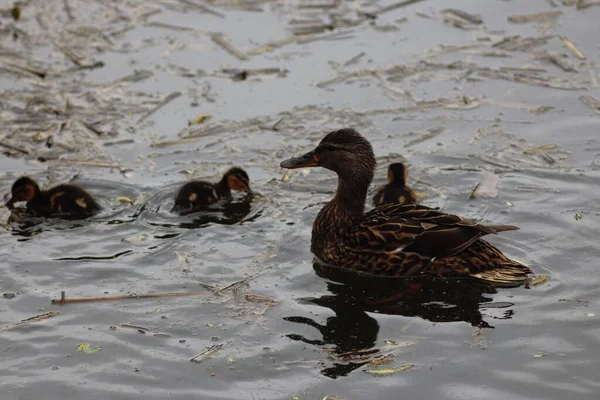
197,195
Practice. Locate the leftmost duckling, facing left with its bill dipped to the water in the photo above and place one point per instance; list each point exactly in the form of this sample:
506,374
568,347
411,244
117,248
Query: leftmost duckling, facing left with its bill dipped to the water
59,201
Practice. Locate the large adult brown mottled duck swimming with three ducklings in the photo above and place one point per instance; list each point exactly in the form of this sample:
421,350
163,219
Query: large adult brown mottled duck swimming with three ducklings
395,240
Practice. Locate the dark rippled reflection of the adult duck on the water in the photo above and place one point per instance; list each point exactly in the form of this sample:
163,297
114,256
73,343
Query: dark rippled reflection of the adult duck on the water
351,335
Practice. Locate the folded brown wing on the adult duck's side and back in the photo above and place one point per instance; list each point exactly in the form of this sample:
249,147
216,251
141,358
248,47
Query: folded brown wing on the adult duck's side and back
419,229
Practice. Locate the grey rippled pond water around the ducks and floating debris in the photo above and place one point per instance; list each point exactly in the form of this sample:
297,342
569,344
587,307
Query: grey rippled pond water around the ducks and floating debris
316,334
